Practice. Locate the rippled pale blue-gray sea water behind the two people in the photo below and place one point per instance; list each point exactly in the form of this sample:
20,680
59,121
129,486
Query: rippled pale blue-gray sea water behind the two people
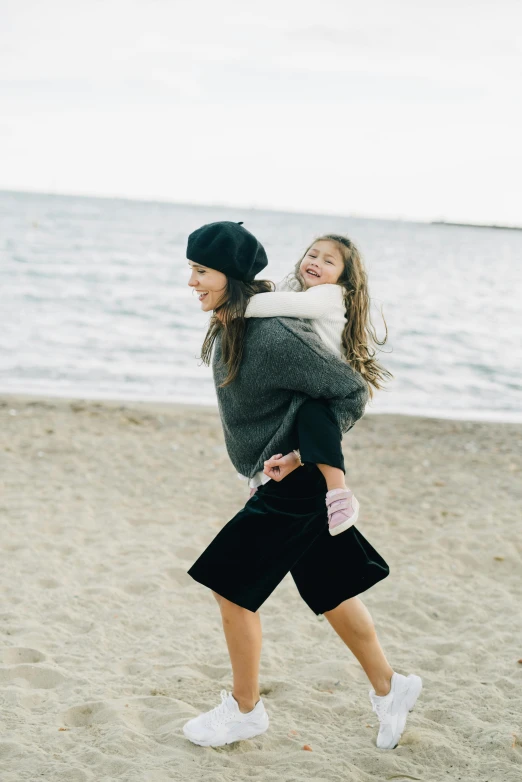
95,303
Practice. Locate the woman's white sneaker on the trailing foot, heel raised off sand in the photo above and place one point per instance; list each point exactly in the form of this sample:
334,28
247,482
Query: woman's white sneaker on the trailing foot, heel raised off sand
392,709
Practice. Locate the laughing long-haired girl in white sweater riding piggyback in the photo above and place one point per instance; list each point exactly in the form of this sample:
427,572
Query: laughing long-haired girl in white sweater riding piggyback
329,288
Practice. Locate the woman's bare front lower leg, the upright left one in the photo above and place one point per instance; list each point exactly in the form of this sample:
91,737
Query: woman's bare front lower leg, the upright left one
243,636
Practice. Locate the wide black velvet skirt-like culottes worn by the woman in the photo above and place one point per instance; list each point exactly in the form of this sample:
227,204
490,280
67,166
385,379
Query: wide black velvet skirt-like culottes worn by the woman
284,528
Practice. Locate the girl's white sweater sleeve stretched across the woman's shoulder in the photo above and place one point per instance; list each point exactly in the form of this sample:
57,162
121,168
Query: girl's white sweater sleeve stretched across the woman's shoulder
312,303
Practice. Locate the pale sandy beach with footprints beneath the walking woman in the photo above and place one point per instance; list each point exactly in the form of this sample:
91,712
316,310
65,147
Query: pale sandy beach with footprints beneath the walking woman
108,646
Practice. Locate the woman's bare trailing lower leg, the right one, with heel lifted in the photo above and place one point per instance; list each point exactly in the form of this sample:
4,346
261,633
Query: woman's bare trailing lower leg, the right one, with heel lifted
352,621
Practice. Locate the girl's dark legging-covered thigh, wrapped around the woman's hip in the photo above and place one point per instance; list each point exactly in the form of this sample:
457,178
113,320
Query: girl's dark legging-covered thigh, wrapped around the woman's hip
319,434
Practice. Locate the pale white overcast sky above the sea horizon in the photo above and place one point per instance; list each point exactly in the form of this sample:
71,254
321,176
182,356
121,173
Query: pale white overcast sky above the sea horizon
404,109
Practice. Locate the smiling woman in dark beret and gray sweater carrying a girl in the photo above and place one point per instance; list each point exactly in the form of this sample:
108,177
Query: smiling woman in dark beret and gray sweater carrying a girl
265,370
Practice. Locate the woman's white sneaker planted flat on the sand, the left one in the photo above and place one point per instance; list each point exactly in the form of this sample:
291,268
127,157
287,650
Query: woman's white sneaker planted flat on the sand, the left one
226,723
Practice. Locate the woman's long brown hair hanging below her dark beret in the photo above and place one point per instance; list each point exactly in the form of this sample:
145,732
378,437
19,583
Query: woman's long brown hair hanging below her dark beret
229,320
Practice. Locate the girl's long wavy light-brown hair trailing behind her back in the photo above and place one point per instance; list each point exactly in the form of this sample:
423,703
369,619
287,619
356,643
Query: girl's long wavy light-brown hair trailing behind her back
359,338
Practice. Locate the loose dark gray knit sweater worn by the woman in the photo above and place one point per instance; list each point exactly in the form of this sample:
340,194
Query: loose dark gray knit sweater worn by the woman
284,362
